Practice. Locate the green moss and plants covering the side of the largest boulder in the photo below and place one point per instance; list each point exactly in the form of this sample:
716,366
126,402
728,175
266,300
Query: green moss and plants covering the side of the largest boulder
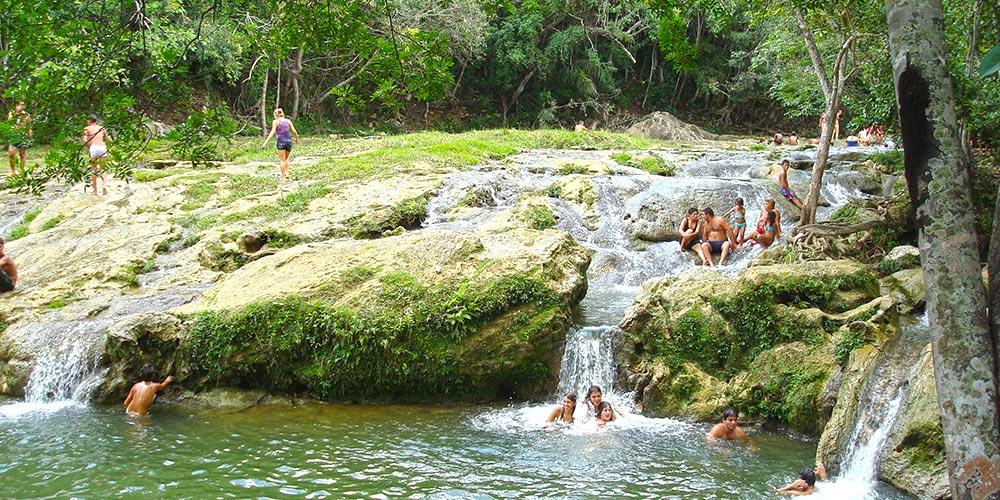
381,351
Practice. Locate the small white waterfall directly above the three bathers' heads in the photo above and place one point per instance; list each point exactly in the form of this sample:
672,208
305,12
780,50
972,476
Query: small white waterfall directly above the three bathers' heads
587,360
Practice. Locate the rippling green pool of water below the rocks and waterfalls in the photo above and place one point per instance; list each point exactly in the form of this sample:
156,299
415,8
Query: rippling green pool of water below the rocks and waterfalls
375,451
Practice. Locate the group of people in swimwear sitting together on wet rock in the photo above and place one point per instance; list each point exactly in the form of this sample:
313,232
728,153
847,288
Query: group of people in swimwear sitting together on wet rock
707,234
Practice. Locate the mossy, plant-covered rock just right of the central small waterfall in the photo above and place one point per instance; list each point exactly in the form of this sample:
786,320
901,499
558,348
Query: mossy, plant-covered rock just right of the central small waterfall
762,342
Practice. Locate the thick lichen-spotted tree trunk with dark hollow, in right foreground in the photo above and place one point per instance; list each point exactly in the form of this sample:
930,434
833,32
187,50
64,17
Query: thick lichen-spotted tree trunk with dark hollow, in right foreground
937,175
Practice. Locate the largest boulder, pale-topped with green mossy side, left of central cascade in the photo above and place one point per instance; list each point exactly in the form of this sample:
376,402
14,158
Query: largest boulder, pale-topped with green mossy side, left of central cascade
427,315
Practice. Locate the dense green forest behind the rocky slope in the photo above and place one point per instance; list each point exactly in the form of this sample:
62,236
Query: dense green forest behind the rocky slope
219,67
